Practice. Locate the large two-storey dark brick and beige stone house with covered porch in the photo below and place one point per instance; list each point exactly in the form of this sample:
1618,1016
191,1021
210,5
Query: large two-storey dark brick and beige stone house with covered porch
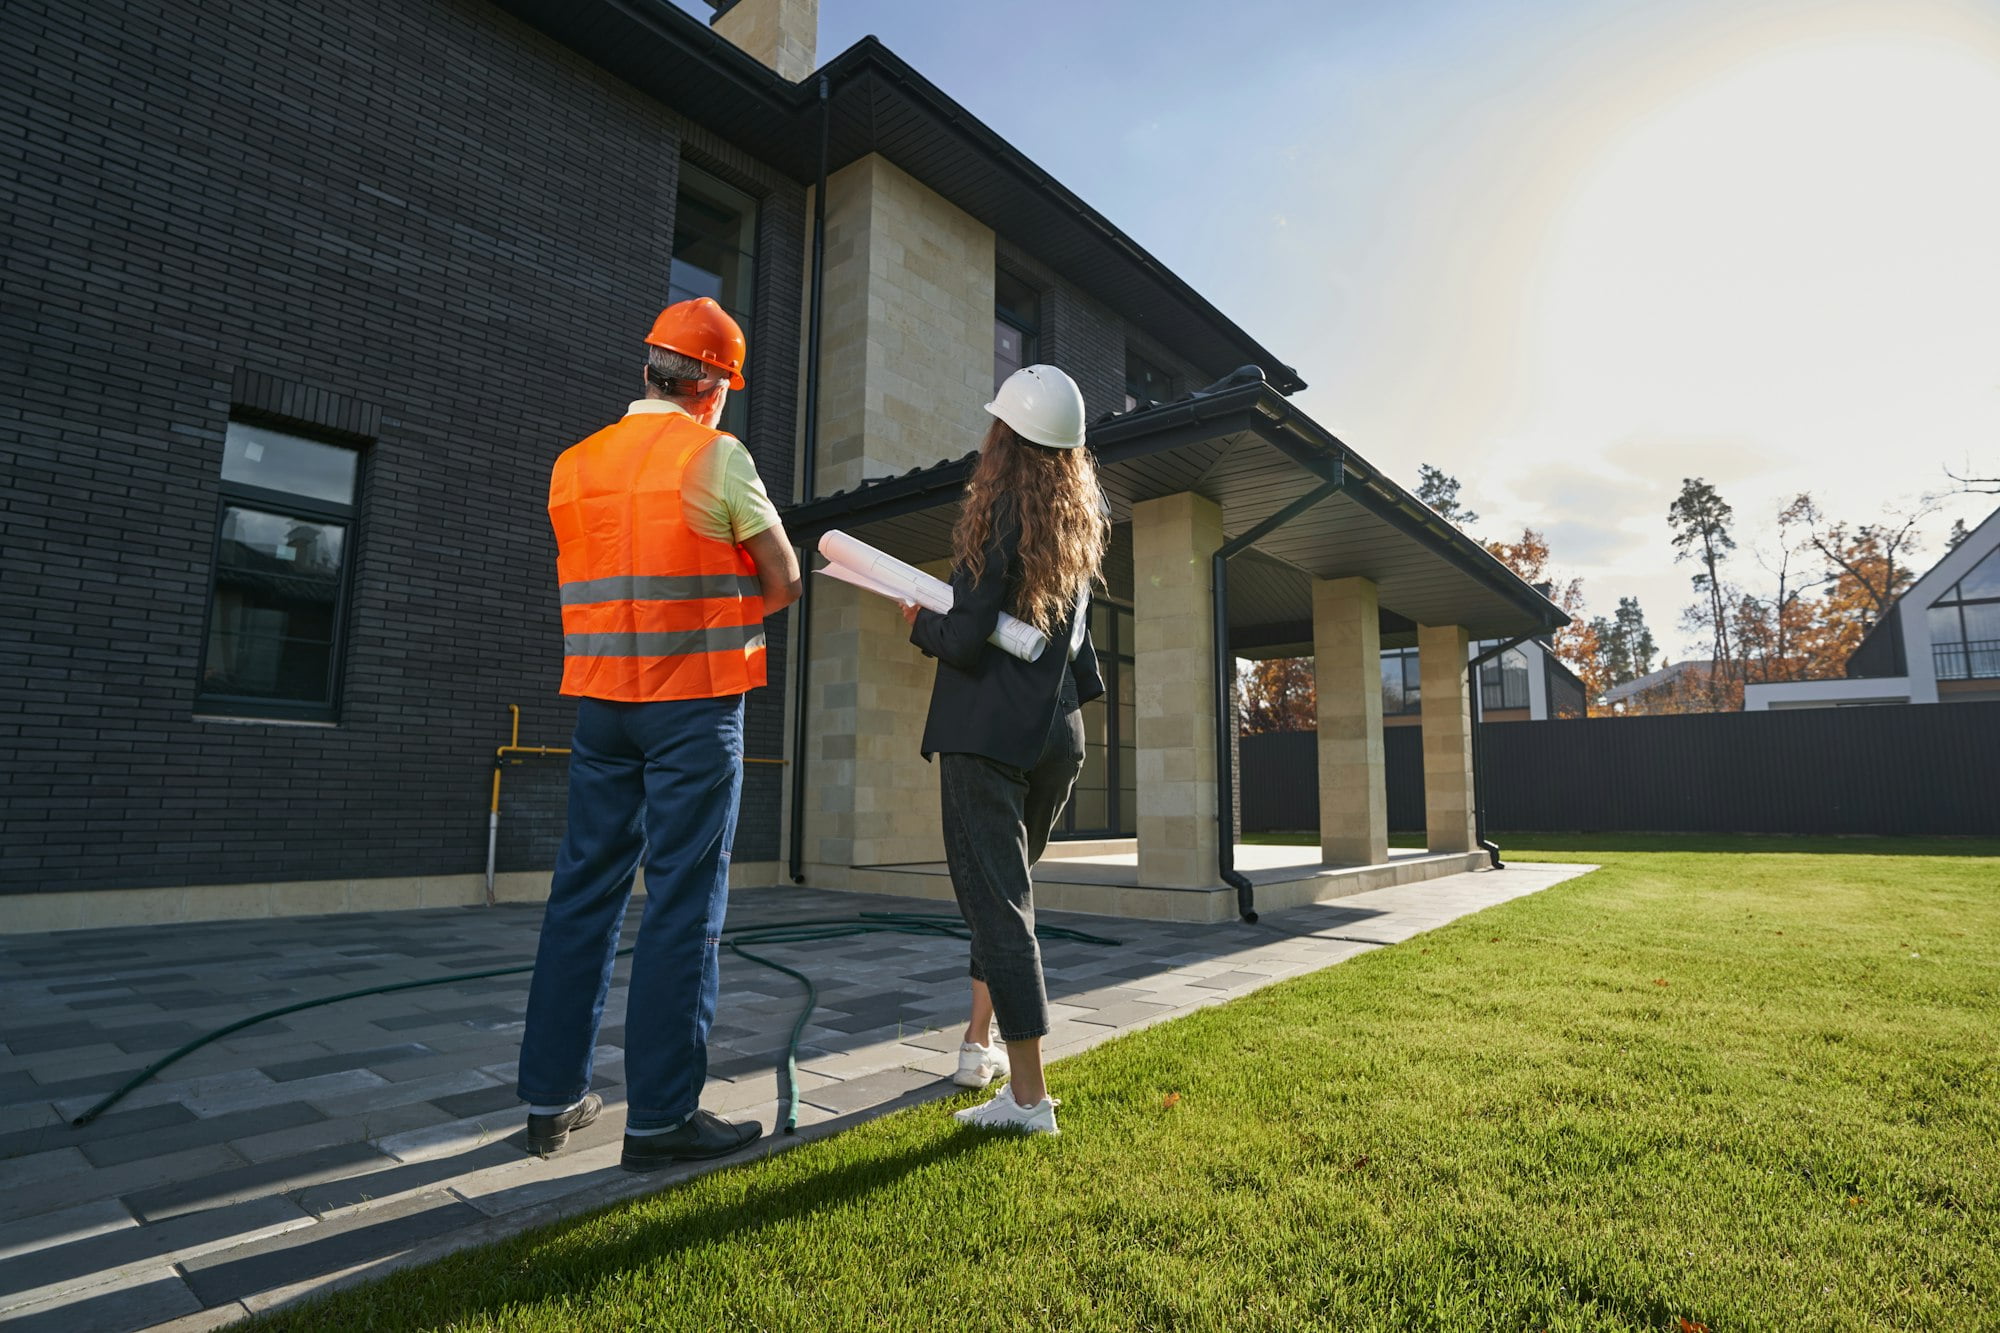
289,361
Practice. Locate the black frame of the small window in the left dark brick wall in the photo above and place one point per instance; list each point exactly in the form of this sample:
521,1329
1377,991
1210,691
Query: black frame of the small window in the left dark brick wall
305,509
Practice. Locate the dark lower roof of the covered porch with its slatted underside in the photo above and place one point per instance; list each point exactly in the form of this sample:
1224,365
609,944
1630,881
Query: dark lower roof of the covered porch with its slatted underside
1253,453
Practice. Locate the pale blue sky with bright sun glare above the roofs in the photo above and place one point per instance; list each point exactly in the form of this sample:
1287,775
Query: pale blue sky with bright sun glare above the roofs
1569,251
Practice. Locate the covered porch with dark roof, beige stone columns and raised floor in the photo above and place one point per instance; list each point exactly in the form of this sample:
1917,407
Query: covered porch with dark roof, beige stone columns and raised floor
1241,529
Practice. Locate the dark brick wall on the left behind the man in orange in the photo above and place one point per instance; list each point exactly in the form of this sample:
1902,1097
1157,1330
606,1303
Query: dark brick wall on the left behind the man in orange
425,217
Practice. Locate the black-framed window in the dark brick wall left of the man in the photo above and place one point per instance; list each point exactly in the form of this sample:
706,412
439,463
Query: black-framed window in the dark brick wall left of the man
285,543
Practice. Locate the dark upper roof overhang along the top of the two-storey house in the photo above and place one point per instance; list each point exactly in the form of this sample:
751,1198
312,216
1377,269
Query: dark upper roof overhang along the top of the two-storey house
877,103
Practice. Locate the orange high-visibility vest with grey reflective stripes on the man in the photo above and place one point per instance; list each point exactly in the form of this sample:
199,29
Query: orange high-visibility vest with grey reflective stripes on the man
651,609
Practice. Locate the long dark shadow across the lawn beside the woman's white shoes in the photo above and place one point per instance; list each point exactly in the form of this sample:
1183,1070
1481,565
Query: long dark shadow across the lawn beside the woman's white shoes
555,1264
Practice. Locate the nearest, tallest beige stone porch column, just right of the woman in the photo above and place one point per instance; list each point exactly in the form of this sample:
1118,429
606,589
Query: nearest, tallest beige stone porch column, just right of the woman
1173,607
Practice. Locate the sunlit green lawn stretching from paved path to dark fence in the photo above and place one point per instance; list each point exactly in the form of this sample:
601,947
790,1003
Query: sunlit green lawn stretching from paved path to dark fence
1735,1084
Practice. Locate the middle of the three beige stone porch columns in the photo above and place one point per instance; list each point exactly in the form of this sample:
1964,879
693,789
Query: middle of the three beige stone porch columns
1347,680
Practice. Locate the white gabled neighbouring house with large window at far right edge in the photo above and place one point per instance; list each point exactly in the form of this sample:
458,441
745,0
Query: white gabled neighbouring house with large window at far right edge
1939,643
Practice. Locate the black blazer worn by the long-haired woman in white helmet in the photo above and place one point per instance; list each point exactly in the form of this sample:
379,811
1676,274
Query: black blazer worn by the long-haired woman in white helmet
989,702
